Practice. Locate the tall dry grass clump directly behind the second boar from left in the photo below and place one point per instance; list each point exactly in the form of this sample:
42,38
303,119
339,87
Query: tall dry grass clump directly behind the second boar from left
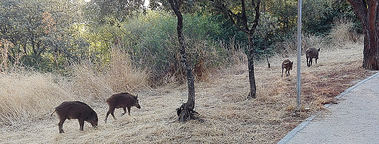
118,76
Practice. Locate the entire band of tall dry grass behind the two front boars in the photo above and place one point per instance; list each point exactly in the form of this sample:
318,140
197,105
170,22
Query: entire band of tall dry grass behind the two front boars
28,95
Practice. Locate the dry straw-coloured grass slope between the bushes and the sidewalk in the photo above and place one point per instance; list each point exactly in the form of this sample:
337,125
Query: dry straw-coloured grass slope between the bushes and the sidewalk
228,116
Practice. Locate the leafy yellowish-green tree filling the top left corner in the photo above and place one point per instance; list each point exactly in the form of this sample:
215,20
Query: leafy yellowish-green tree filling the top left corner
37,28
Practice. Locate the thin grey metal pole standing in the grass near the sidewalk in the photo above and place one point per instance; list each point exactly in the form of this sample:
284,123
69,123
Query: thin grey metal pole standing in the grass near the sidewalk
298,87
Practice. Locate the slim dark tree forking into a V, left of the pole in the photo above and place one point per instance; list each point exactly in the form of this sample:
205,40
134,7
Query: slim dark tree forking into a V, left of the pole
247,24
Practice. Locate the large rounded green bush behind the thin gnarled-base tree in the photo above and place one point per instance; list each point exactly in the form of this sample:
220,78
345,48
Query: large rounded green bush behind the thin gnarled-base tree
152,43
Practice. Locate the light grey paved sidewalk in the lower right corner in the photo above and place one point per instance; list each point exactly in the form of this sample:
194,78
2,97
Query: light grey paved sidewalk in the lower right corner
355,120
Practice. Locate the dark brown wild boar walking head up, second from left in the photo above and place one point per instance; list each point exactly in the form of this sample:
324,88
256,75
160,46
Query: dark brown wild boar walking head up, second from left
121,100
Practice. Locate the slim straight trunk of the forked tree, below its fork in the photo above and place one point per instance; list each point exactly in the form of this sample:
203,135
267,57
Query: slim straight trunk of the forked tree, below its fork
250,59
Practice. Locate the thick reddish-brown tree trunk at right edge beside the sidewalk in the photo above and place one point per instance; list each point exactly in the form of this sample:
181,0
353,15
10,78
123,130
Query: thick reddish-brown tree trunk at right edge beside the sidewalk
368,13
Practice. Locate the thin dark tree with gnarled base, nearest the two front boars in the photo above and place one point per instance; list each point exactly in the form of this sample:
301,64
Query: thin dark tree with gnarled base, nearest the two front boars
185,111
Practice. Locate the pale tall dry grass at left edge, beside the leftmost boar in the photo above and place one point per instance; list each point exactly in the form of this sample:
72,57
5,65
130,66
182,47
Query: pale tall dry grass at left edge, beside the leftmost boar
29,95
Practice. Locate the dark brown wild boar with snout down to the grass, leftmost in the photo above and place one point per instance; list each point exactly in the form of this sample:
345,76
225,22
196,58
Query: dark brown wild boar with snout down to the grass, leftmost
75,110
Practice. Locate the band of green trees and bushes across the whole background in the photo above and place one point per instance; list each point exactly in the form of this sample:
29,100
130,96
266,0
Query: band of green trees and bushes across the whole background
50,35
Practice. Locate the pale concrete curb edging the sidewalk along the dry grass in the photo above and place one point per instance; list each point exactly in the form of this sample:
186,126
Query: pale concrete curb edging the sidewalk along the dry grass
303,124
